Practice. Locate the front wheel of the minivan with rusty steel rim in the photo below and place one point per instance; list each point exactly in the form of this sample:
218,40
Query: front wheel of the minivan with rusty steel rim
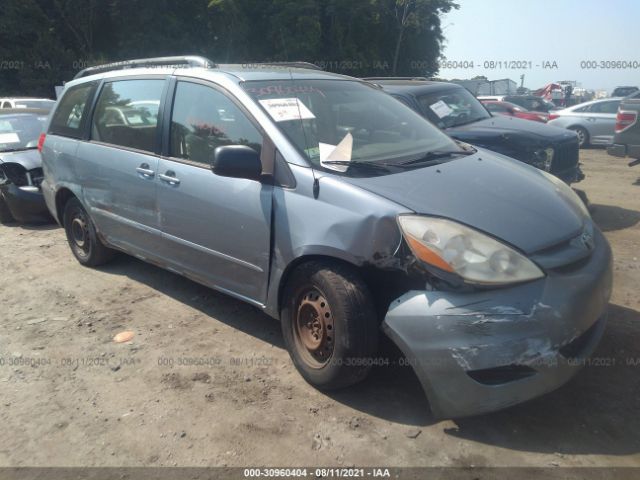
349,331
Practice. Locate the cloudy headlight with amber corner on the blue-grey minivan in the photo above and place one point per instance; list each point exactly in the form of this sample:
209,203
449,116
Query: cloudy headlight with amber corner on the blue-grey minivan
458,249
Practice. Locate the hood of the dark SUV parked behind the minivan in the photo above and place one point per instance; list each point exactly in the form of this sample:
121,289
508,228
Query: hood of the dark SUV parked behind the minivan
509,127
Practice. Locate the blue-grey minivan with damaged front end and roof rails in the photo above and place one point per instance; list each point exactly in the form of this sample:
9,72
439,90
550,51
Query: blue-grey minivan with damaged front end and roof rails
331,206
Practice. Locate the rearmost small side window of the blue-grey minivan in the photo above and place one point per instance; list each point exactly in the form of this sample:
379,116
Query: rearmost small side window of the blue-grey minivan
70,116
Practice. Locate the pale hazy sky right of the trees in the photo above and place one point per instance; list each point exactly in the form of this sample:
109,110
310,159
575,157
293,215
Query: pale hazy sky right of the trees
563,31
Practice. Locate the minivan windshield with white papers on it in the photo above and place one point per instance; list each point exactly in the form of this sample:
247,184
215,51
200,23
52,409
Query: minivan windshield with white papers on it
346,121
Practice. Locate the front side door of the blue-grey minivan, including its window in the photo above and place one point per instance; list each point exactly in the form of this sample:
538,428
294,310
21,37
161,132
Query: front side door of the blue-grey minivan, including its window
215,229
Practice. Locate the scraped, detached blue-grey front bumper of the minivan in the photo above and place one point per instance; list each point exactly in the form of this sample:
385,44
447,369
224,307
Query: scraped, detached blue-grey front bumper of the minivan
484,351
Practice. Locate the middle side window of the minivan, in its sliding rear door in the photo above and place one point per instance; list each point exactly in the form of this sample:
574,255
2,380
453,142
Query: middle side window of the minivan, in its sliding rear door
126,114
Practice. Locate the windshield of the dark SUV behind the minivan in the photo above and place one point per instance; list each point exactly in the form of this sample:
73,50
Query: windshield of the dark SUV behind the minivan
452,108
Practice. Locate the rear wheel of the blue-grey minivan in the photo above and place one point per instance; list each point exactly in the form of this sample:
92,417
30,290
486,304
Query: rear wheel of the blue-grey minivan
82,237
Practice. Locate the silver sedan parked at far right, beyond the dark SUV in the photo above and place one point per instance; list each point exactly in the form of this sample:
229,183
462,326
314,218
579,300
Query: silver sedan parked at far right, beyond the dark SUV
594,122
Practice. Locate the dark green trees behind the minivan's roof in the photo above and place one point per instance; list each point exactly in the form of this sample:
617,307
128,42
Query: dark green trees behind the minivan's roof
45,42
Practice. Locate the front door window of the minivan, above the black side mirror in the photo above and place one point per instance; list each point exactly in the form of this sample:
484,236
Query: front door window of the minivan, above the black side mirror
203,119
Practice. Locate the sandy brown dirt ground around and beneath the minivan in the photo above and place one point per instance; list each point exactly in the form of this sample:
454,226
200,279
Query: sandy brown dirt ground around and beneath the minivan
206,380
